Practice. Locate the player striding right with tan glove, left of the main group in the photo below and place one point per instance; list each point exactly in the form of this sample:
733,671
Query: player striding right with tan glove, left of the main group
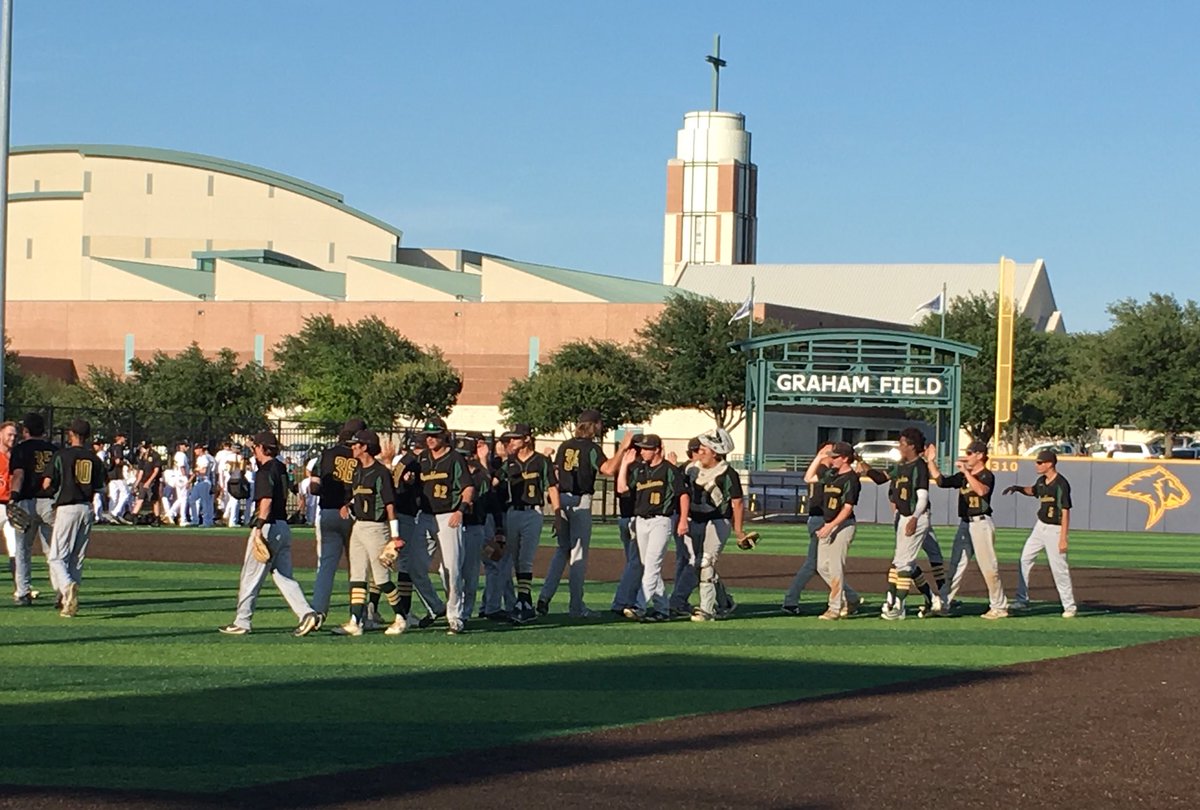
269,526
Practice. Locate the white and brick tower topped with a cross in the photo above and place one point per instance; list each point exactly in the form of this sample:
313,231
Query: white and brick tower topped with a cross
712,190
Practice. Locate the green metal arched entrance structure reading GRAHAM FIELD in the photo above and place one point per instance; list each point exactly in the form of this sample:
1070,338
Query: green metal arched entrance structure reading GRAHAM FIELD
855,369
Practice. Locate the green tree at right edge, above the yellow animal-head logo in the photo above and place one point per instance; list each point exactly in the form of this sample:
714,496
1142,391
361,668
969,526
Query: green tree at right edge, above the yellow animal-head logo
1151,362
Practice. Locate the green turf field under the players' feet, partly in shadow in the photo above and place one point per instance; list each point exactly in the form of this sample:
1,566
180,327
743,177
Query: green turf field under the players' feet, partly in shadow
151,697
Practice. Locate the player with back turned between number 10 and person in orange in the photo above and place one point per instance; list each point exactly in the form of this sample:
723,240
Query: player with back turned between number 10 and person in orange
29,465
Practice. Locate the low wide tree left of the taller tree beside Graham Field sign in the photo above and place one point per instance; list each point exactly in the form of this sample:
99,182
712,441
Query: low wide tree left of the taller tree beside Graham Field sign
581,375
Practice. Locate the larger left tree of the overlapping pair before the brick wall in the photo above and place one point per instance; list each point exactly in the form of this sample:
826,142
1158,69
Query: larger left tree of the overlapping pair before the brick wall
327,368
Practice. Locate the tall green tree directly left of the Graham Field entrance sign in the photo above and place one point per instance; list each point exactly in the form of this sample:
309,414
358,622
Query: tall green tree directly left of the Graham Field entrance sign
688,349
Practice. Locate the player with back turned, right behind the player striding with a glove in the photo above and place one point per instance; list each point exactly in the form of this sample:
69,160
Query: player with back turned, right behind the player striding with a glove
332,484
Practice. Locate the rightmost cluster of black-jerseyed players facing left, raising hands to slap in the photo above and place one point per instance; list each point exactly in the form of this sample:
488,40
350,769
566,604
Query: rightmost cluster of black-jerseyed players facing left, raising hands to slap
836,482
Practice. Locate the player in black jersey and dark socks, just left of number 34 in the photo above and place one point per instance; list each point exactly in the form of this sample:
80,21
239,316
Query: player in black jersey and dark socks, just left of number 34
530,479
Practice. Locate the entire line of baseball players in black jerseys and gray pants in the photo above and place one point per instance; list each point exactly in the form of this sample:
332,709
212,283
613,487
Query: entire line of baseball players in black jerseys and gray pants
482,511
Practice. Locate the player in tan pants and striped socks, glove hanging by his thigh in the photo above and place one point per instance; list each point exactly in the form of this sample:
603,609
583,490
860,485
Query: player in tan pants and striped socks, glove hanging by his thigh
375,536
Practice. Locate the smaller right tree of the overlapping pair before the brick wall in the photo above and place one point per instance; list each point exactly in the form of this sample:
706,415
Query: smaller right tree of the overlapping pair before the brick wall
429,387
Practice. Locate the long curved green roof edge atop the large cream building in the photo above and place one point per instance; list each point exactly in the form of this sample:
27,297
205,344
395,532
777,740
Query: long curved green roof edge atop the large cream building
199,161
